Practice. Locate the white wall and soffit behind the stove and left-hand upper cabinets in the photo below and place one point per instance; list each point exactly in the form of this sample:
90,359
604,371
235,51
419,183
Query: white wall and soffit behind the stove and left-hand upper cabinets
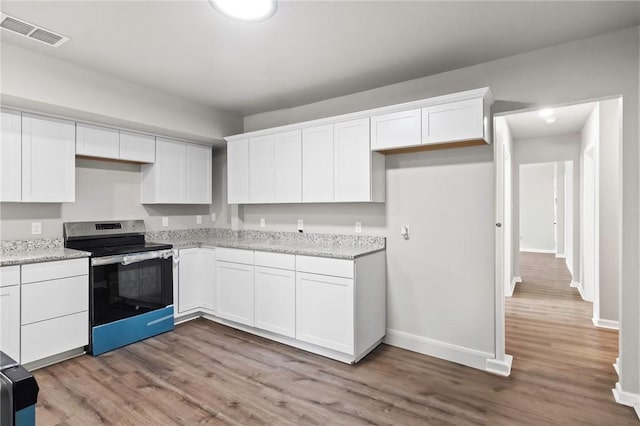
106,190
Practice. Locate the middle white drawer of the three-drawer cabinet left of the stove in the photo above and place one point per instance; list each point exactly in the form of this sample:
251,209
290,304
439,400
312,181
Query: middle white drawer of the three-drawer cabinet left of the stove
50,299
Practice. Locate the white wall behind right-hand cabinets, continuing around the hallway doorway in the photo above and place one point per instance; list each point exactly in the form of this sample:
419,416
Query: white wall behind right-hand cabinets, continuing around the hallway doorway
575,71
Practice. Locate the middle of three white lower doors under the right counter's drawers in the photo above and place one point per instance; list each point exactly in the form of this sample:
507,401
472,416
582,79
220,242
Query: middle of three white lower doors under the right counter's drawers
275,300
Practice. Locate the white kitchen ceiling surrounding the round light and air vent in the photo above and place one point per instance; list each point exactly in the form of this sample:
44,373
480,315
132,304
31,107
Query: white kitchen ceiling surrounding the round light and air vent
309,51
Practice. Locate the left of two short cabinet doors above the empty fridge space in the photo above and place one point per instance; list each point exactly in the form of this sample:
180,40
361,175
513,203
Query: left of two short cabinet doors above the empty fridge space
395,130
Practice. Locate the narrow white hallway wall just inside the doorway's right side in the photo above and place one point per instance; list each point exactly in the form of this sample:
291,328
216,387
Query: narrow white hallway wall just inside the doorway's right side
609,211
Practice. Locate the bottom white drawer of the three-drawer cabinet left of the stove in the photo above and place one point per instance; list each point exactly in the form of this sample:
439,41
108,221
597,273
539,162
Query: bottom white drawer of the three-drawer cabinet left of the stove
52,337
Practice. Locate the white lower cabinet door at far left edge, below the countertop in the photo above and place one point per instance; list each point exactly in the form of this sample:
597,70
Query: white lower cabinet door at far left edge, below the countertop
10,321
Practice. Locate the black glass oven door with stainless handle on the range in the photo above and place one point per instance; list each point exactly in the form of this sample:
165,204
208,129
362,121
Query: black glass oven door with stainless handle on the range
124,286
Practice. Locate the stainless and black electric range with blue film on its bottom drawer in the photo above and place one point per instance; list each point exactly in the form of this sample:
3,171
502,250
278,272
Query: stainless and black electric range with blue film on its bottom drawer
131,282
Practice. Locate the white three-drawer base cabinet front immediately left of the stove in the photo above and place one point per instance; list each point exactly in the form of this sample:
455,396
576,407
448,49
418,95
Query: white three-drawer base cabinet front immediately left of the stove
49,329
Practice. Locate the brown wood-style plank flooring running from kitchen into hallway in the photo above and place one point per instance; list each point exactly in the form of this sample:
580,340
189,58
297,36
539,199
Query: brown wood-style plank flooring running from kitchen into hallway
205,373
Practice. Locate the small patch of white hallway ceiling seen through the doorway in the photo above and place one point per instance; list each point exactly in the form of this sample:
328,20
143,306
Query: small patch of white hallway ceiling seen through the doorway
569,119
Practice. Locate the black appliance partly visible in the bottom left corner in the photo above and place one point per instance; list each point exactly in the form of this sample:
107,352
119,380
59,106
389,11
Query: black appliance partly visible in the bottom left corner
18,394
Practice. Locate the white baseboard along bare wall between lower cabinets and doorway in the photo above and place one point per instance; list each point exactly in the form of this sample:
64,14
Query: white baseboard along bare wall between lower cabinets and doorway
447,351
